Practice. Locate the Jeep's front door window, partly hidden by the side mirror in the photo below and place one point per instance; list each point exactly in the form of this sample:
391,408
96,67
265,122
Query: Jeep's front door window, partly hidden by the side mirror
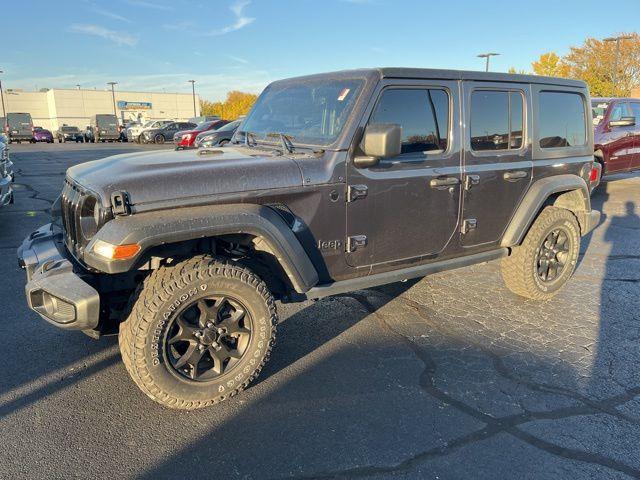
423,115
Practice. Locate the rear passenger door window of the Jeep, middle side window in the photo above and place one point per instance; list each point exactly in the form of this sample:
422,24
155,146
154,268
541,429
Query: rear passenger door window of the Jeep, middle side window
497,119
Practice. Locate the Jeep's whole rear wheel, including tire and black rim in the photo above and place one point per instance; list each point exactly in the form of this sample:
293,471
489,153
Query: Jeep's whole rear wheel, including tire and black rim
547,257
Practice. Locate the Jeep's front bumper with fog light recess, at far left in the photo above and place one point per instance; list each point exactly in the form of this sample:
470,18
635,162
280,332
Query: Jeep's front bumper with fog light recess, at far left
54,290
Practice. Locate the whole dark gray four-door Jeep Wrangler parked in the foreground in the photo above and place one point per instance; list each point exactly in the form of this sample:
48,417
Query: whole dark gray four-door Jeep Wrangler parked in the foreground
334,182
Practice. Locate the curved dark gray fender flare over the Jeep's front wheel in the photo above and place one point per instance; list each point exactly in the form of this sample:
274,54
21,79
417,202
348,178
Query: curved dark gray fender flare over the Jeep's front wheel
152,229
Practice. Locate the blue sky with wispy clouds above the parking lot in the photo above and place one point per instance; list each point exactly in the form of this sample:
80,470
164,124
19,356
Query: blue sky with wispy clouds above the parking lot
244,44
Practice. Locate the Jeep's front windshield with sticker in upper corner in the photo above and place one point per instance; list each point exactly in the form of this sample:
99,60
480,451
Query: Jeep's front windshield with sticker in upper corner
308,112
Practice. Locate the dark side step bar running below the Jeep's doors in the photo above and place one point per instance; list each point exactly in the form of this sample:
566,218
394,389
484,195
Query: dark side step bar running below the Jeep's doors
384,278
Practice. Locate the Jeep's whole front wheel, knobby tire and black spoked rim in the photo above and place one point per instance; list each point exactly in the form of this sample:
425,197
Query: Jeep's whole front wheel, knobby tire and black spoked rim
199,332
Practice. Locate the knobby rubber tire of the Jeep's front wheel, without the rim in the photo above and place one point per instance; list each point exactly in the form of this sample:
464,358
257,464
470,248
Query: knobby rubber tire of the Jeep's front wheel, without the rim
156,303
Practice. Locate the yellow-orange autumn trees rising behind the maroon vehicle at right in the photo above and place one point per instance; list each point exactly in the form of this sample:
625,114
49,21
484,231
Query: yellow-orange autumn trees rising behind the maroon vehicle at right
595,63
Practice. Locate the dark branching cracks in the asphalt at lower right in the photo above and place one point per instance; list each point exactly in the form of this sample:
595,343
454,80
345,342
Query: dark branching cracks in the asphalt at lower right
493,426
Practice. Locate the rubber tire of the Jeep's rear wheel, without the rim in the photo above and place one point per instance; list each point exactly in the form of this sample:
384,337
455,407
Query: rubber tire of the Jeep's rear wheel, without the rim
520,269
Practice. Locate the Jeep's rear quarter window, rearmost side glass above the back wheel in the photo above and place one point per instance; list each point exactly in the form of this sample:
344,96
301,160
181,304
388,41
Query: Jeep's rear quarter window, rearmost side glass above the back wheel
562,120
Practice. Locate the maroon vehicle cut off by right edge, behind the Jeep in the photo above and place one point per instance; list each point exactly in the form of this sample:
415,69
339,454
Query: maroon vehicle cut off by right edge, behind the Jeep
617,134
